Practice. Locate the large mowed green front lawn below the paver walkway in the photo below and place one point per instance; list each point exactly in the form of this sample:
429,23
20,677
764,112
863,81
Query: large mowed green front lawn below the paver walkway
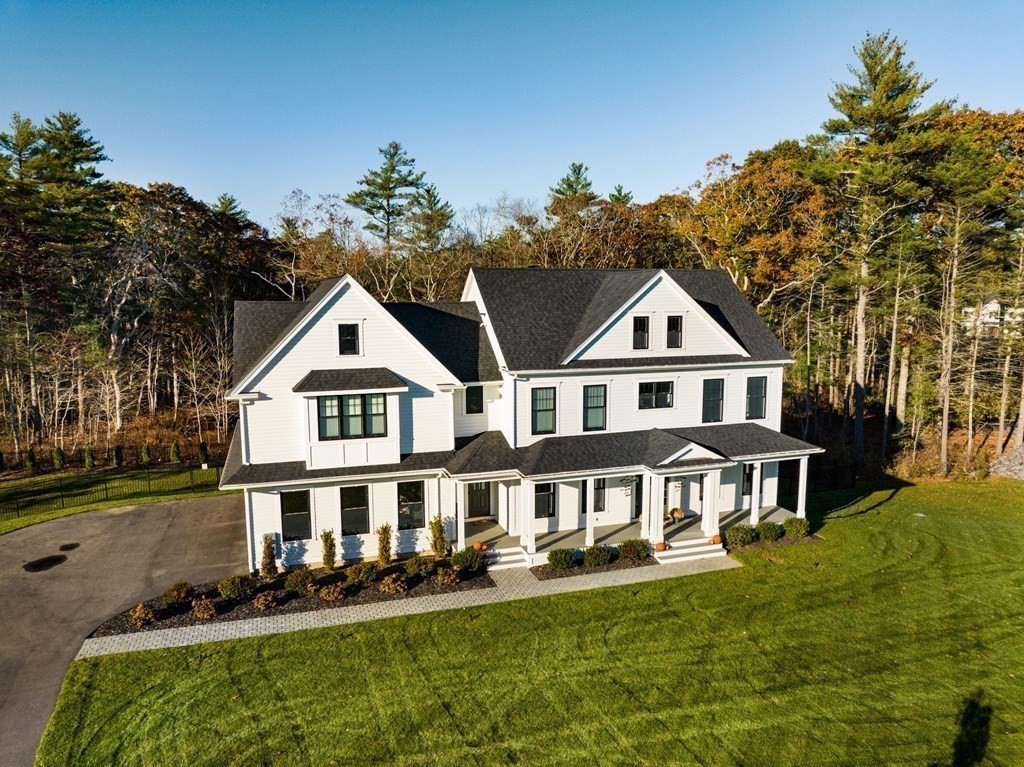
899,640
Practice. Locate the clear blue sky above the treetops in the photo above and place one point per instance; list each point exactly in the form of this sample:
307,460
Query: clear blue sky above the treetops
260,99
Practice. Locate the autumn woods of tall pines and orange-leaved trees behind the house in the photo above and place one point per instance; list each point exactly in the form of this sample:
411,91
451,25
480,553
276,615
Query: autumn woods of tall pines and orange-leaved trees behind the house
887,251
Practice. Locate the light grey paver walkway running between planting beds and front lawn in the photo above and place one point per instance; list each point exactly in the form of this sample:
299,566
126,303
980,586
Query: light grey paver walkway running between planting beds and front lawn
511,585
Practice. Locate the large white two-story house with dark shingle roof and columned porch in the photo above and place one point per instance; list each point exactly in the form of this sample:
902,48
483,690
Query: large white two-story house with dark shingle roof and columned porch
547,409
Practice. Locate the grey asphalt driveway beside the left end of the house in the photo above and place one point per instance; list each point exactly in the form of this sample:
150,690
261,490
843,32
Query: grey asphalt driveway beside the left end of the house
123,557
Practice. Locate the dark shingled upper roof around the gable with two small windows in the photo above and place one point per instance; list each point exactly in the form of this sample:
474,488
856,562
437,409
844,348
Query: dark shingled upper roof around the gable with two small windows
540,317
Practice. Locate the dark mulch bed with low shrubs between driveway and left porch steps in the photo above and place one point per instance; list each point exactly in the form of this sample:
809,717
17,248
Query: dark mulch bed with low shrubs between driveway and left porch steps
288,604
